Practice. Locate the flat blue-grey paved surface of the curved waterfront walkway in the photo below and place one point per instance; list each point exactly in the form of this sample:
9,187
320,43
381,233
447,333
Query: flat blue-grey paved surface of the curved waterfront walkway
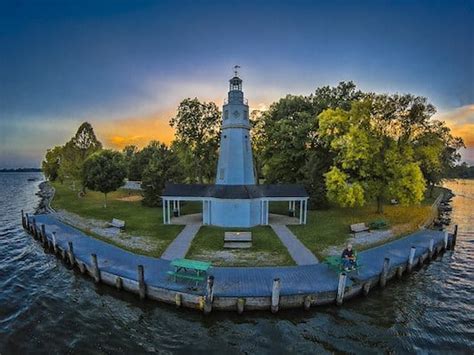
234,281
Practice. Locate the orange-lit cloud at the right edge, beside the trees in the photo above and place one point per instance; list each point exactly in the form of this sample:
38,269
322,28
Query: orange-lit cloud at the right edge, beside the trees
461,122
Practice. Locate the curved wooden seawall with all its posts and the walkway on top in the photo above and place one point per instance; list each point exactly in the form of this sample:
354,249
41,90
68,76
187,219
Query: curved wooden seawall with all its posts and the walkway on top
236,288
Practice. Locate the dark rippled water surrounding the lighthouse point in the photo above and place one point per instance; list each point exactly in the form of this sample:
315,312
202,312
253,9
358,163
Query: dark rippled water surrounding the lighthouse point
47,308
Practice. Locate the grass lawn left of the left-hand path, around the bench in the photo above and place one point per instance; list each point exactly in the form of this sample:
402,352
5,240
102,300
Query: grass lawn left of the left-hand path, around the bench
140,220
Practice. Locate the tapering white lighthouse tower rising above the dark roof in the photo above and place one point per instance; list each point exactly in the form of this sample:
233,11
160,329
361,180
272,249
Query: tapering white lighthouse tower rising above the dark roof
235,166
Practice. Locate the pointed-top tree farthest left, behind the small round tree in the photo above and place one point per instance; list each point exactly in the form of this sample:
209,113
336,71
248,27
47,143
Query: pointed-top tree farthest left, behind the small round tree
76,151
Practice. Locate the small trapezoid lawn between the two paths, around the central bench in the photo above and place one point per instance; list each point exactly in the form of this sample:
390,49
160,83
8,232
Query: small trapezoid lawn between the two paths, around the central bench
266,250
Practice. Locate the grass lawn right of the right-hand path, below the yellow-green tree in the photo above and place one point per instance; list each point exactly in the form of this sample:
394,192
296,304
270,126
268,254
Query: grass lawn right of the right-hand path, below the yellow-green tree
331,227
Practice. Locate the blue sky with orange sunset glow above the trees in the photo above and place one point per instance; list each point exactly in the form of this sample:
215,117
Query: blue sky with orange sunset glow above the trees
124,66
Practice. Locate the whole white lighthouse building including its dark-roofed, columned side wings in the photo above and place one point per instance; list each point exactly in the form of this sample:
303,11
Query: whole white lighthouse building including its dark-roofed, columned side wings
235,200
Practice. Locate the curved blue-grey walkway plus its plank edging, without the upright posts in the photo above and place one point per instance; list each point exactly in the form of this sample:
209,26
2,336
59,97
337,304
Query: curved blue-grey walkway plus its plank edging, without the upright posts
253,284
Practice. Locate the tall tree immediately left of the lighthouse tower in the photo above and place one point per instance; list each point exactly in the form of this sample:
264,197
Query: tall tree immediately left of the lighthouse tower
197,126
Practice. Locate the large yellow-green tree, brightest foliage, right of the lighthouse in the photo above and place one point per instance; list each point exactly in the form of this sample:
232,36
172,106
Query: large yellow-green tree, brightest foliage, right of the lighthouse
369,163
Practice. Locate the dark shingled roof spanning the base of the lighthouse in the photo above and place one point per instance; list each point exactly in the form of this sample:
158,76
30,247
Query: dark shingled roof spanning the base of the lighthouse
234,191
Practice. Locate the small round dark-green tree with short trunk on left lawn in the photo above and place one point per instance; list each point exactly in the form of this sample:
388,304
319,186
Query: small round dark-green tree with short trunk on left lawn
104,171
